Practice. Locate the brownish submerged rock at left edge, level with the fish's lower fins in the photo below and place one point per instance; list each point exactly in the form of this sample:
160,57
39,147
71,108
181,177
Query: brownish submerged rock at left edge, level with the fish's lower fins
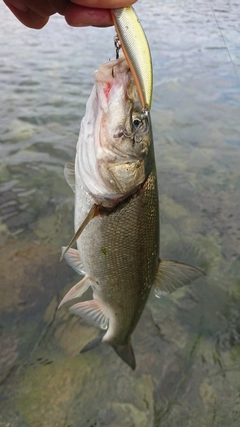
30,276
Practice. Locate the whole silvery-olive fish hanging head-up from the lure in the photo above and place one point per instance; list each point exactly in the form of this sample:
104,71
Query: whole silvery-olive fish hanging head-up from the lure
116,217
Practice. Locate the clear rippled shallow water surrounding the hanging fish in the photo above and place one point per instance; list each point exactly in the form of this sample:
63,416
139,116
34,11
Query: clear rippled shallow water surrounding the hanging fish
187,345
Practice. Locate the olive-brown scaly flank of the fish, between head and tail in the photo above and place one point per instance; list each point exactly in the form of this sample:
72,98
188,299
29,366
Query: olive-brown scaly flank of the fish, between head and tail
124,273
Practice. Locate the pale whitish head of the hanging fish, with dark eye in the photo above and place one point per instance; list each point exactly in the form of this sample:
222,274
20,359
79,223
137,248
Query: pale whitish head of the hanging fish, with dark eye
116,135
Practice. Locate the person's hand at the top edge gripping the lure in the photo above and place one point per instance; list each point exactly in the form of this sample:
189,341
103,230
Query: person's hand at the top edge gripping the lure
78,13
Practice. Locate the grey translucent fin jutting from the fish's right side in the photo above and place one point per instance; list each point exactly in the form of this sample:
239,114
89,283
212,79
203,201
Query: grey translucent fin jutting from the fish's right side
172,275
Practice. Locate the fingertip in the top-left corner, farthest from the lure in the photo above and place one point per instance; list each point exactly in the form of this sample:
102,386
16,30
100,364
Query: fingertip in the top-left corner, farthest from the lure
28,17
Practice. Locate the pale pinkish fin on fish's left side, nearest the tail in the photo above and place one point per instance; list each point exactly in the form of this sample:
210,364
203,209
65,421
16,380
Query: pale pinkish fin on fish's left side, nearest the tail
93,311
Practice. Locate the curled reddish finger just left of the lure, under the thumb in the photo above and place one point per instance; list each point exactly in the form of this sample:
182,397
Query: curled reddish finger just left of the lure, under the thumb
78,16
